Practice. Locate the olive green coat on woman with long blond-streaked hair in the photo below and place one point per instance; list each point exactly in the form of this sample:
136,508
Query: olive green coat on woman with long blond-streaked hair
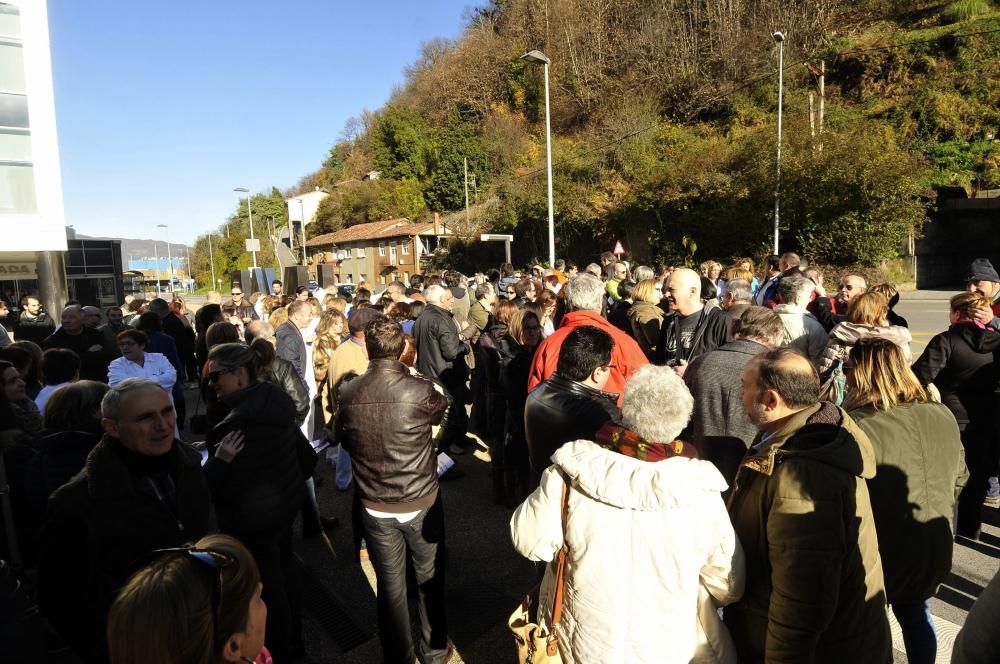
920,470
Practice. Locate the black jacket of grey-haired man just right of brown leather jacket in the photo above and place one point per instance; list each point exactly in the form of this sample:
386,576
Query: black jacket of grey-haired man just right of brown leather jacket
440,350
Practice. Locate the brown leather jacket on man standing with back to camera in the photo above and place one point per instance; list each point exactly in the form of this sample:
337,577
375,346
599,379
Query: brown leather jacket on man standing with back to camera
384,421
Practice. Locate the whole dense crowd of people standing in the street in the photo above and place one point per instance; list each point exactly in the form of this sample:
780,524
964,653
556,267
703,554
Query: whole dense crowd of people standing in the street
733,464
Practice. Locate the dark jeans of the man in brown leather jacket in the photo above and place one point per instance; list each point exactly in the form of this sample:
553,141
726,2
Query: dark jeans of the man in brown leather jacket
390,545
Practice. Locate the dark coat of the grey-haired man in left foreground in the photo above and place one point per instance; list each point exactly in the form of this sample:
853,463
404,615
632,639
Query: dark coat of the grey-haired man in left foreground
101,528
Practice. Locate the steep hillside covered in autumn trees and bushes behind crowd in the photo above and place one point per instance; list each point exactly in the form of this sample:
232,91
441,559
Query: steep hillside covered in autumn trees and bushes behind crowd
664,126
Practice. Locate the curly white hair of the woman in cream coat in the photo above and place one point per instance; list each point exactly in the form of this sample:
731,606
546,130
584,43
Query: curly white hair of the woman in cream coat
657,404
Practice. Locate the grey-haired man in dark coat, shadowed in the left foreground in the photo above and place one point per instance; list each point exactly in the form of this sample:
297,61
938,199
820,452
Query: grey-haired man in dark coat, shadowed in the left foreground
141,490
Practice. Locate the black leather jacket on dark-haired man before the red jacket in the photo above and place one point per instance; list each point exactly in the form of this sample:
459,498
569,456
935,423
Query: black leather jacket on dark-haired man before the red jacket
561,410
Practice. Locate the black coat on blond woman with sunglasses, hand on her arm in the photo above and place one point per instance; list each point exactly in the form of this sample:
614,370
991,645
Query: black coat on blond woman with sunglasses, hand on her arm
263,488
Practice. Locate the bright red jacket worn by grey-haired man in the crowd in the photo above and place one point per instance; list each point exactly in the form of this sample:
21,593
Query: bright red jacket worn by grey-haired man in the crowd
626,356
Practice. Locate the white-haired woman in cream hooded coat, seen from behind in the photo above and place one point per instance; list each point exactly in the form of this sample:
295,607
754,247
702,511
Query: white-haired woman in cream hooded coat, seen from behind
650,551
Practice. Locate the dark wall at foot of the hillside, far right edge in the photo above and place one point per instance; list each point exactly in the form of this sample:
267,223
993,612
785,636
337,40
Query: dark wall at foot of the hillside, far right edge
961,231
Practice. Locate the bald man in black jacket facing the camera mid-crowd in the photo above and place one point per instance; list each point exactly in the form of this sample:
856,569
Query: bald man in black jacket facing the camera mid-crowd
689,329
